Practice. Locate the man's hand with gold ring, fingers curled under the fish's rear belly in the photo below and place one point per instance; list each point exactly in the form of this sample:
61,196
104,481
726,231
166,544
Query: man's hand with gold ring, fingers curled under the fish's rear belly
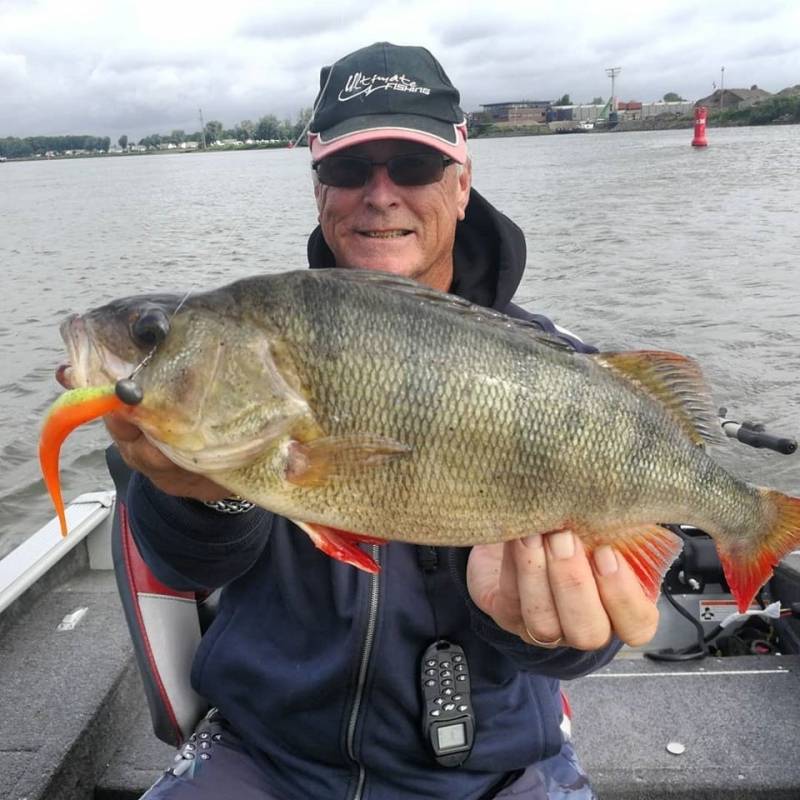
549,592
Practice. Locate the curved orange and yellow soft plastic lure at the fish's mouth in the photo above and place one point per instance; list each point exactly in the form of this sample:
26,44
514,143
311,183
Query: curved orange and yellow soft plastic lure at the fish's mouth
70,410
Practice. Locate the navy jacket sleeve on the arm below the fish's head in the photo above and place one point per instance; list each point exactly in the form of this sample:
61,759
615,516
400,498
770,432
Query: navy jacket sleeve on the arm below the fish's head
188,546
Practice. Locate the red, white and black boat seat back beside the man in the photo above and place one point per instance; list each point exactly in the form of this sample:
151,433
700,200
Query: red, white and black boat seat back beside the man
165,625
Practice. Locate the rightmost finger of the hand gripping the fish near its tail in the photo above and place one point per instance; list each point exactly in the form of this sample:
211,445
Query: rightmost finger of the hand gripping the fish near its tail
633,615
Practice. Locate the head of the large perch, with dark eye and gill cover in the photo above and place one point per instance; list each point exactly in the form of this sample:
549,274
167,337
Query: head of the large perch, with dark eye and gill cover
215,387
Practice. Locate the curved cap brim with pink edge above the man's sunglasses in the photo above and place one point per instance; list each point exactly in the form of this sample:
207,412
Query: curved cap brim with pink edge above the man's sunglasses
446,137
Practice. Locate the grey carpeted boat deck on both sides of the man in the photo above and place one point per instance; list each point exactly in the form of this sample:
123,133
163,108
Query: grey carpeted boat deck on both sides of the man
74,721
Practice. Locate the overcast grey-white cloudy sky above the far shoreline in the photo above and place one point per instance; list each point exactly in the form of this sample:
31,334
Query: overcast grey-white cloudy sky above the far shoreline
108,67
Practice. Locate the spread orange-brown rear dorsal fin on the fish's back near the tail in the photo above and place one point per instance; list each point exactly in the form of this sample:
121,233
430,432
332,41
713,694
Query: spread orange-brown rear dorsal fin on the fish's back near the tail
676,382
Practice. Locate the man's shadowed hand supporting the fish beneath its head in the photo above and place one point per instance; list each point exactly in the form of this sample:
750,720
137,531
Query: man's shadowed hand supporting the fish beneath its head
143,457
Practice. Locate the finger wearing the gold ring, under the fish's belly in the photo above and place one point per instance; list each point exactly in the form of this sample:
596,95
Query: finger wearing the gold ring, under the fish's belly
540,622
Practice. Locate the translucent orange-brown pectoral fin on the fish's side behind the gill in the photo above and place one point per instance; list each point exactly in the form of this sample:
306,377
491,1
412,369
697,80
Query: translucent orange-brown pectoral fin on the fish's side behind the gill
315,463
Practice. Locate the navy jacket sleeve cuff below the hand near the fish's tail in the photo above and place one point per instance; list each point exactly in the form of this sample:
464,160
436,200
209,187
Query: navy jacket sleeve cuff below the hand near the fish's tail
564,663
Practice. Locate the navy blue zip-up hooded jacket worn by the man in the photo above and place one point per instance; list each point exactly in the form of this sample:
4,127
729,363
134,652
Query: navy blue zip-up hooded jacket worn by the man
315,663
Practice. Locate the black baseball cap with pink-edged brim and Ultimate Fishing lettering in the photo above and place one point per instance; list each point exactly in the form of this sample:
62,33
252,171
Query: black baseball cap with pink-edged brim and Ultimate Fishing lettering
387,91
